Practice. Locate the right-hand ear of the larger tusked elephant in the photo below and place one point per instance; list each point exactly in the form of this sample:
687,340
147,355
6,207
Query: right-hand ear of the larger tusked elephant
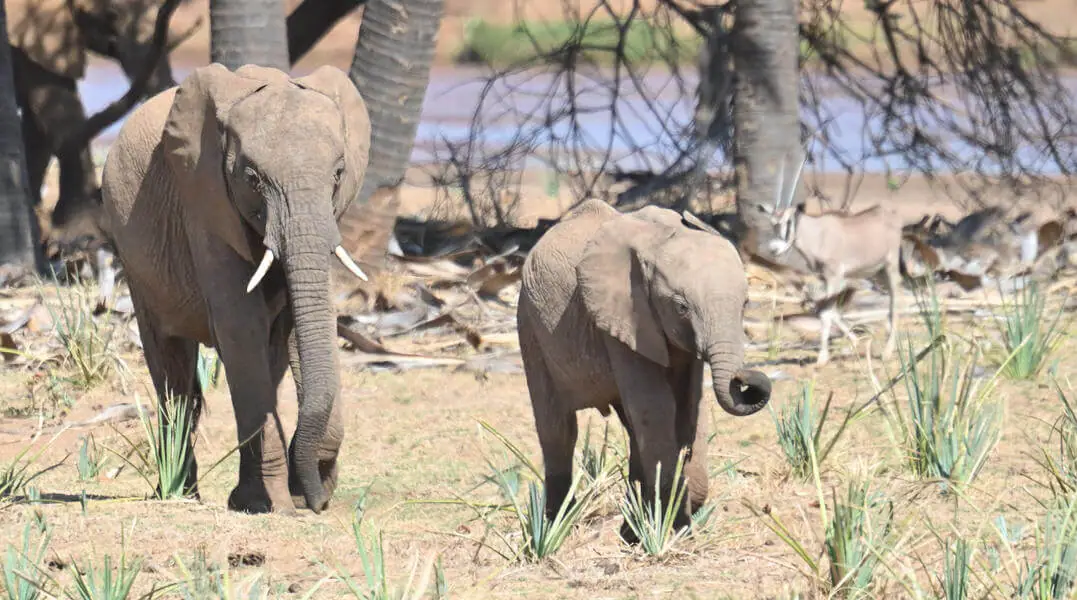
334,83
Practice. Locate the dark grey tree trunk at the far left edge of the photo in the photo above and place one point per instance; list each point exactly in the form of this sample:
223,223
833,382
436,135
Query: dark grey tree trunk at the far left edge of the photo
18,235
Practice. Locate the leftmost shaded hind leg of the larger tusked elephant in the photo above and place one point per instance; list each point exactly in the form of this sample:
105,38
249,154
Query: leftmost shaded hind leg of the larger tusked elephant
173,364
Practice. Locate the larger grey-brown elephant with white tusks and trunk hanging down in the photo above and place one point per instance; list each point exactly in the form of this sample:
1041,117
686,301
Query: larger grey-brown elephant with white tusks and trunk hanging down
202,180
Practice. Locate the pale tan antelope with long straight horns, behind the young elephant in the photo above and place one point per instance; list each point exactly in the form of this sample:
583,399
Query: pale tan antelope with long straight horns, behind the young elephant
838,246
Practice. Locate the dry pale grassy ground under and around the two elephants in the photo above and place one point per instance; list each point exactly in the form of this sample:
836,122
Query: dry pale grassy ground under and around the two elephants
426,472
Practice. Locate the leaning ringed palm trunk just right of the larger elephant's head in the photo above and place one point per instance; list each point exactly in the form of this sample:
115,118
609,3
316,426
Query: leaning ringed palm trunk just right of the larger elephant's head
391,69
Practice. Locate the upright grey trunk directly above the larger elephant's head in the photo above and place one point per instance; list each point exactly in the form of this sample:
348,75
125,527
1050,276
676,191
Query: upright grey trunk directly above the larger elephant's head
249,32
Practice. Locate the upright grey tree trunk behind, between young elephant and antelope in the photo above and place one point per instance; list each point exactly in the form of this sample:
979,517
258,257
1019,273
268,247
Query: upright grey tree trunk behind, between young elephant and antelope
766,113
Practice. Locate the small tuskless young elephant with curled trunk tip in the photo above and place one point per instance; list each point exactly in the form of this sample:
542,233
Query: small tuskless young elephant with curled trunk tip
622,311
